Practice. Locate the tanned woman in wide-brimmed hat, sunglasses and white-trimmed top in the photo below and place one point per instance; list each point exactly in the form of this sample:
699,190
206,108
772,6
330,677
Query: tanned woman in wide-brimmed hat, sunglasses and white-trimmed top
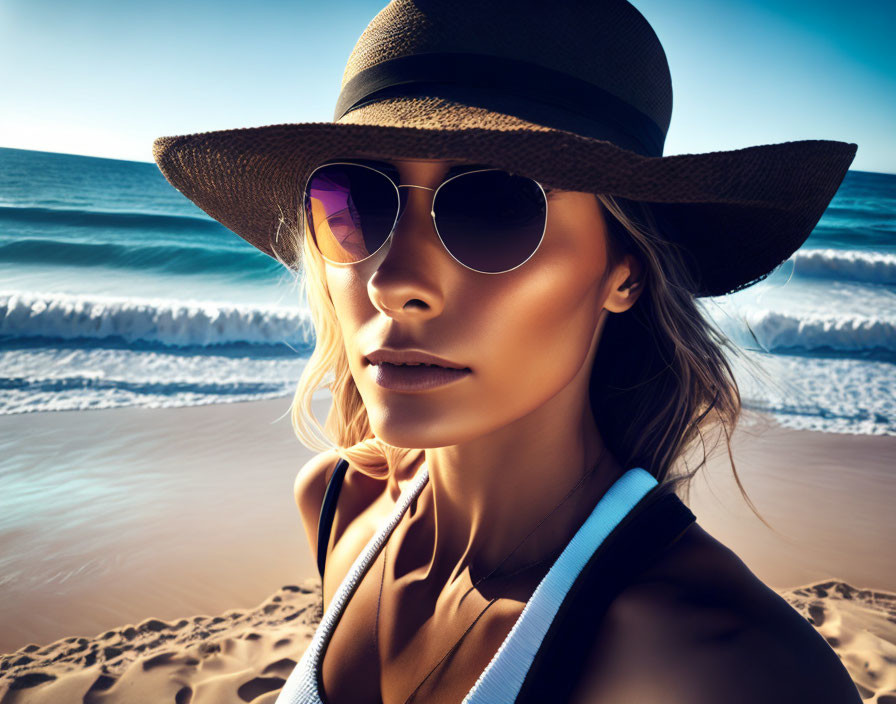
492,201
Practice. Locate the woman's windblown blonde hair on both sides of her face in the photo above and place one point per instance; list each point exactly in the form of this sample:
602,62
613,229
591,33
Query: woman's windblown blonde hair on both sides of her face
660,383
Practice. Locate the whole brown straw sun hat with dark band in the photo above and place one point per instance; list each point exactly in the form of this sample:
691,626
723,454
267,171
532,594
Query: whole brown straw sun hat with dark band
576,95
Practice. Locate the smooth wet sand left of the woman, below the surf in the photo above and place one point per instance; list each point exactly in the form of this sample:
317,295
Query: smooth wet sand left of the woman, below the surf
161,512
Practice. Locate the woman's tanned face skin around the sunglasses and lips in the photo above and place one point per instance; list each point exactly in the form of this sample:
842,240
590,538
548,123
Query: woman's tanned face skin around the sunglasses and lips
524,334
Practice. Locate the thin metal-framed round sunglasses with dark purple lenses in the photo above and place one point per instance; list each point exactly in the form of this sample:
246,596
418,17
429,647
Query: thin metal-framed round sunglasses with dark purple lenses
489,220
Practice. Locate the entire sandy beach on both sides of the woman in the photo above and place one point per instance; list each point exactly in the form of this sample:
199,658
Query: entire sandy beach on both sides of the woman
203,522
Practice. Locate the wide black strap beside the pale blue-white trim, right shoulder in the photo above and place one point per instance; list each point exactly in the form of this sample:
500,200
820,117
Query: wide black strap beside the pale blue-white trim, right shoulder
654,523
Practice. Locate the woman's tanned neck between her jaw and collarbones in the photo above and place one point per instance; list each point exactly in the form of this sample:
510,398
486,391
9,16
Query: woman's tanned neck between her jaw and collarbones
485,496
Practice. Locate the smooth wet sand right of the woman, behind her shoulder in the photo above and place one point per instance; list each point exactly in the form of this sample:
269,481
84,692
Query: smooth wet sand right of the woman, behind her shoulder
827,496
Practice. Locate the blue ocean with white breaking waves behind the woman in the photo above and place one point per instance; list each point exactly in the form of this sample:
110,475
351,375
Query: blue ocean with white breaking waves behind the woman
116,290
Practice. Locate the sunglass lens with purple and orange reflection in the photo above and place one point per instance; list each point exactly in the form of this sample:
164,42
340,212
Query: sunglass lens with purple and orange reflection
350,211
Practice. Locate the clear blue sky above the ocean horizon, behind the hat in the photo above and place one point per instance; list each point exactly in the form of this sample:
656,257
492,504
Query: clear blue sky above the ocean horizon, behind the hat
105,78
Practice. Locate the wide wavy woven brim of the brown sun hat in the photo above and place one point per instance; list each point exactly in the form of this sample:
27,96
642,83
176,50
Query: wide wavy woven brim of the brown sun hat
738,213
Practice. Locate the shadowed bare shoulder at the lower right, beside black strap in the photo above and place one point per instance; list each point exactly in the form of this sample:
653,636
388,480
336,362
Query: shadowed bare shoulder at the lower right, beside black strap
700,627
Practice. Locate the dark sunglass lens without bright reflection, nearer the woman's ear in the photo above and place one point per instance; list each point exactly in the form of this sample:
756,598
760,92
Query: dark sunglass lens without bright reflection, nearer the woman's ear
491,221
